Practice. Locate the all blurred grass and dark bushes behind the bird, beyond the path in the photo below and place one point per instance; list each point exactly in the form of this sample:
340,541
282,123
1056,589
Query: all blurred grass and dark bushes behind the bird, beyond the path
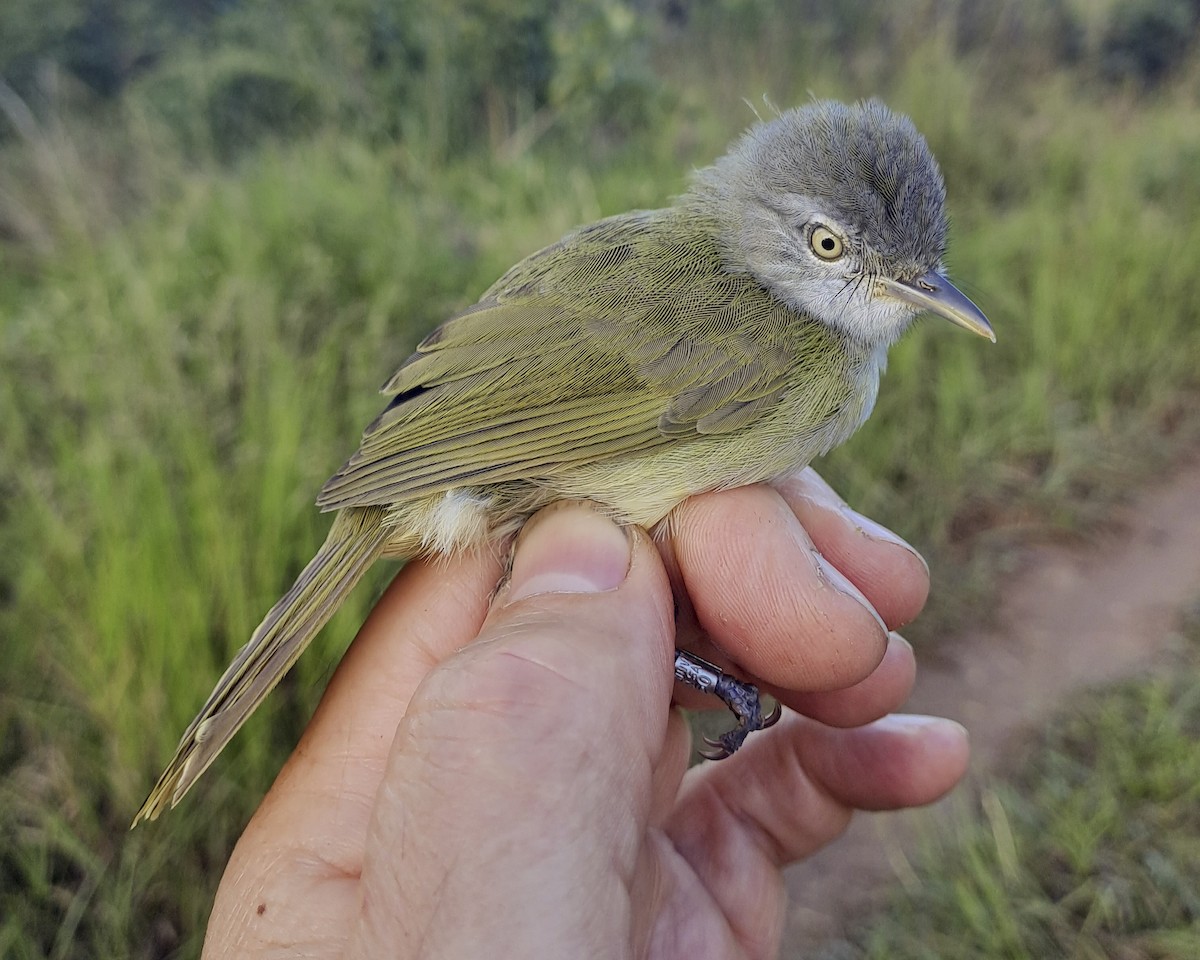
223,223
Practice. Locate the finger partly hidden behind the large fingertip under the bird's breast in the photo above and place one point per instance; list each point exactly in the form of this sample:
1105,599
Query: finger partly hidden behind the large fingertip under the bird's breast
889,572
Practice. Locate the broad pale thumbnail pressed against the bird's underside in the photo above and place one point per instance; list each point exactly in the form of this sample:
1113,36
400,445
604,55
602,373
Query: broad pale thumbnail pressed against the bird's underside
569,548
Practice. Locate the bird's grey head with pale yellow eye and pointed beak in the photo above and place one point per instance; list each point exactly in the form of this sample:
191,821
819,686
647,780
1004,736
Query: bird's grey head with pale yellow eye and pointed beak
841,212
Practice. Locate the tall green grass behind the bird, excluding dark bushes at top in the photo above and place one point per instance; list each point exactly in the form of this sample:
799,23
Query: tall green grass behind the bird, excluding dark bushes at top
190,349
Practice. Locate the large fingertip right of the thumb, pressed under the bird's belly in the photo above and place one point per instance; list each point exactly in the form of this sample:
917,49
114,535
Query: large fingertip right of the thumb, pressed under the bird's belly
764,593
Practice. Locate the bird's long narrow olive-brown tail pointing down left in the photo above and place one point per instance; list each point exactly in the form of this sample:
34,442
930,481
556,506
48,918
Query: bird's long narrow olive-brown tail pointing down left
355,542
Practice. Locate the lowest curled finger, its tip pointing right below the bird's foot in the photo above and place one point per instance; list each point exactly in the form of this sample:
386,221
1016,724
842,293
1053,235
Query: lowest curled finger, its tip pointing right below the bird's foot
790,793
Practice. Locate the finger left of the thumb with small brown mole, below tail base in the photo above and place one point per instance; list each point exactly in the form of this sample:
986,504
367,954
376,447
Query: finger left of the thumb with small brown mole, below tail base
308,835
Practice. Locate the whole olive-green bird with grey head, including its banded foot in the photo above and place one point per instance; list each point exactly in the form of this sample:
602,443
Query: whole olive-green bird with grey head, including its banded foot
724,340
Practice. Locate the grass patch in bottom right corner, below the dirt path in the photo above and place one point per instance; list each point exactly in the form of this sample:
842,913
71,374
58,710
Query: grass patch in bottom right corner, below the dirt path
1087,847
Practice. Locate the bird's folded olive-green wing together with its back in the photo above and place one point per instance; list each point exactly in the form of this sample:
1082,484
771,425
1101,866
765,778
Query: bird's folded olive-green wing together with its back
623,338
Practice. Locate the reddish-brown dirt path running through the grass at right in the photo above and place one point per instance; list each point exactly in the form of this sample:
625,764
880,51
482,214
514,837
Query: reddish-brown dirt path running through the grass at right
1071,619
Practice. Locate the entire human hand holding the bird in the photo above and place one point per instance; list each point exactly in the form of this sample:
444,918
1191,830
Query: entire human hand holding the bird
503,775
